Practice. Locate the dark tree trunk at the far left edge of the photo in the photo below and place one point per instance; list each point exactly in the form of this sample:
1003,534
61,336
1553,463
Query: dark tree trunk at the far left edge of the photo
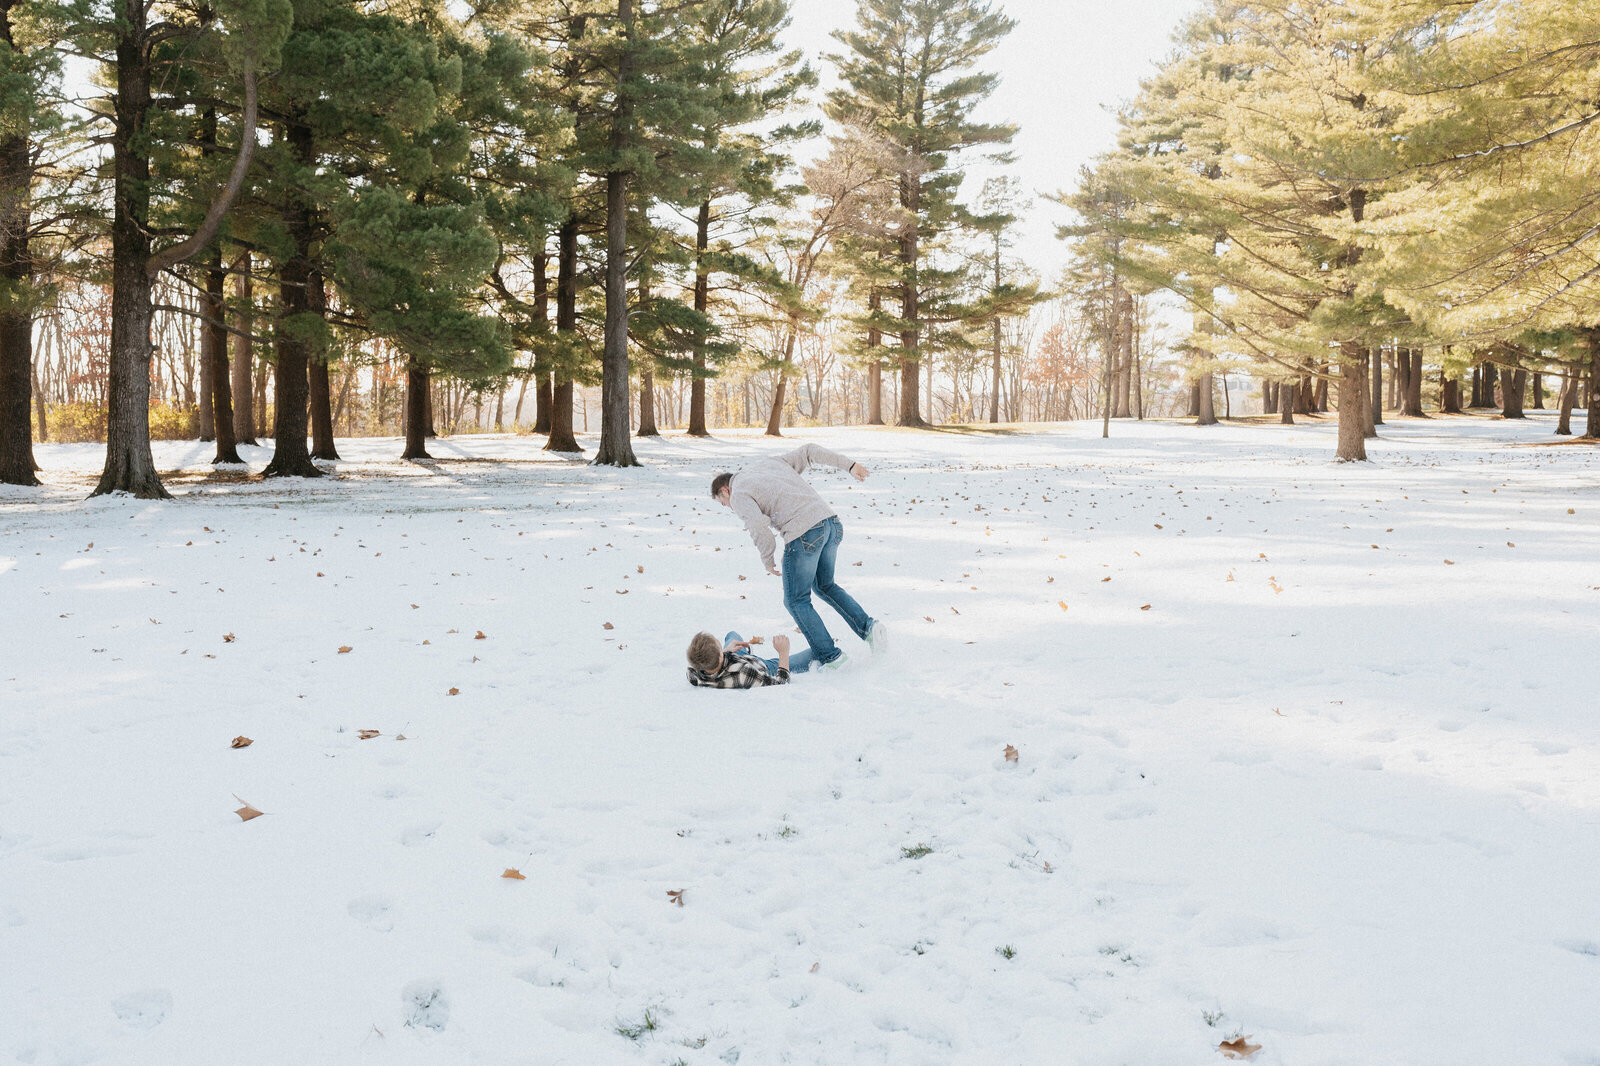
17,318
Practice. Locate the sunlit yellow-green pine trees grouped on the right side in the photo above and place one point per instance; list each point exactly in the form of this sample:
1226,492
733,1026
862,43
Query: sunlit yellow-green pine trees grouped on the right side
1364,198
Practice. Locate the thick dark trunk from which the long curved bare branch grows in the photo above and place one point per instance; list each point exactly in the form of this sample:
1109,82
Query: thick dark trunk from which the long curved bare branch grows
130,467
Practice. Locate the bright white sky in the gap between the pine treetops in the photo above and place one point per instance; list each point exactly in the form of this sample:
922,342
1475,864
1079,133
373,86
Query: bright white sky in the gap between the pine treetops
1065,65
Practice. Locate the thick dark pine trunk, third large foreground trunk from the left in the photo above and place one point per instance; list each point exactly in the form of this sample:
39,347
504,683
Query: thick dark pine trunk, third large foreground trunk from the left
292,382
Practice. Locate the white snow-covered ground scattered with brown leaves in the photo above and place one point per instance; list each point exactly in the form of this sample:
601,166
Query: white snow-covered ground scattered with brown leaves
1305,751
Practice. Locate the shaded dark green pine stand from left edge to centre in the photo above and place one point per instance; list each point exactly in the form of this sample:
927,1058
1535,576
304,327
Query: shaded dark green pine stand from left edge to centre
276,218
